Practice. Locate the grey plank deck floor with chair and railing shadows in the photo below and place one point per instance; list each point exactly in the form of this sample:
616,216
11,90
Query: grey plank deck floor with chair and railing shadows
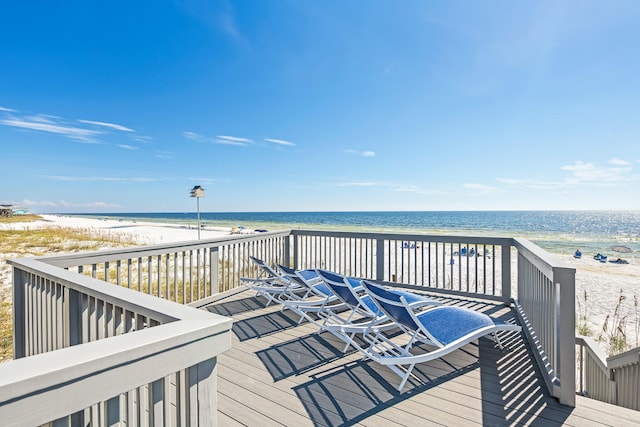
282,373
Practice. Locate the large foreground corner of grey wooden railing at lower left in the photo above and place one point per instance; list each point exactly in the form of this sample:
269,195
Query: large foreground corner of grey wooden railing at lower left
92,353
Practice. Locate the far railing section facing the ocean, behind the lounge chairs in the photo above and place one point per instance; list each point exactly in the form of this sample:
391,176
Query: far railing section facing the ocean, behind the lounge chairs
463,265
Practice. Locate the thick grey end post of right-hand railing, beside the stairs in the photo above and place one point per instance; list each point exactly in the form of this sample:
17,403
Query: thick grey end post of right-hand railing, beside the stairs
564,280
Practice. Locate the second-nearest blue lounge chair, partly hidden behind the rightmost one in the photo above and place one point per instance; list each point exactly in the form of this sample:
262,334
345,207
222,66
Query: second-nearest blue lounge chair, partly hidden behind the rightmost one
363,315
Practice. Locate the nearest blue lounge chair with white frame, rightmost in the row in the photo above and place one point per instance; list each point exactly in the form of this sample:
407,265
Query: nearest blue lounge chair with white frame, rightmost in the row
445,327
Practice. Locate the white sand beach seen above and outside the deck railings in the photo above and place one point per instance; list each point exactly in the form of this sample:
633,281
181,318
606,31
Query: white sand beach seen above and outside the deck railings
603,282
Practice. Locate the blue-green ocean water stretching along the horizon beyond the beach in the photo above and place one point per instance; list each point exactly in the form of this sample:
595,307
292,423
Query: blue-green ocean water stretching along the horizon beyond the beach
560,232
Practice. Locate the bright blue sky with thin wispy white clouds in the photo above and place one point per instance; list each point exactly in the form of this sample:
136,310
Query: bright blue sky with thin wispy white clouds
124,106
